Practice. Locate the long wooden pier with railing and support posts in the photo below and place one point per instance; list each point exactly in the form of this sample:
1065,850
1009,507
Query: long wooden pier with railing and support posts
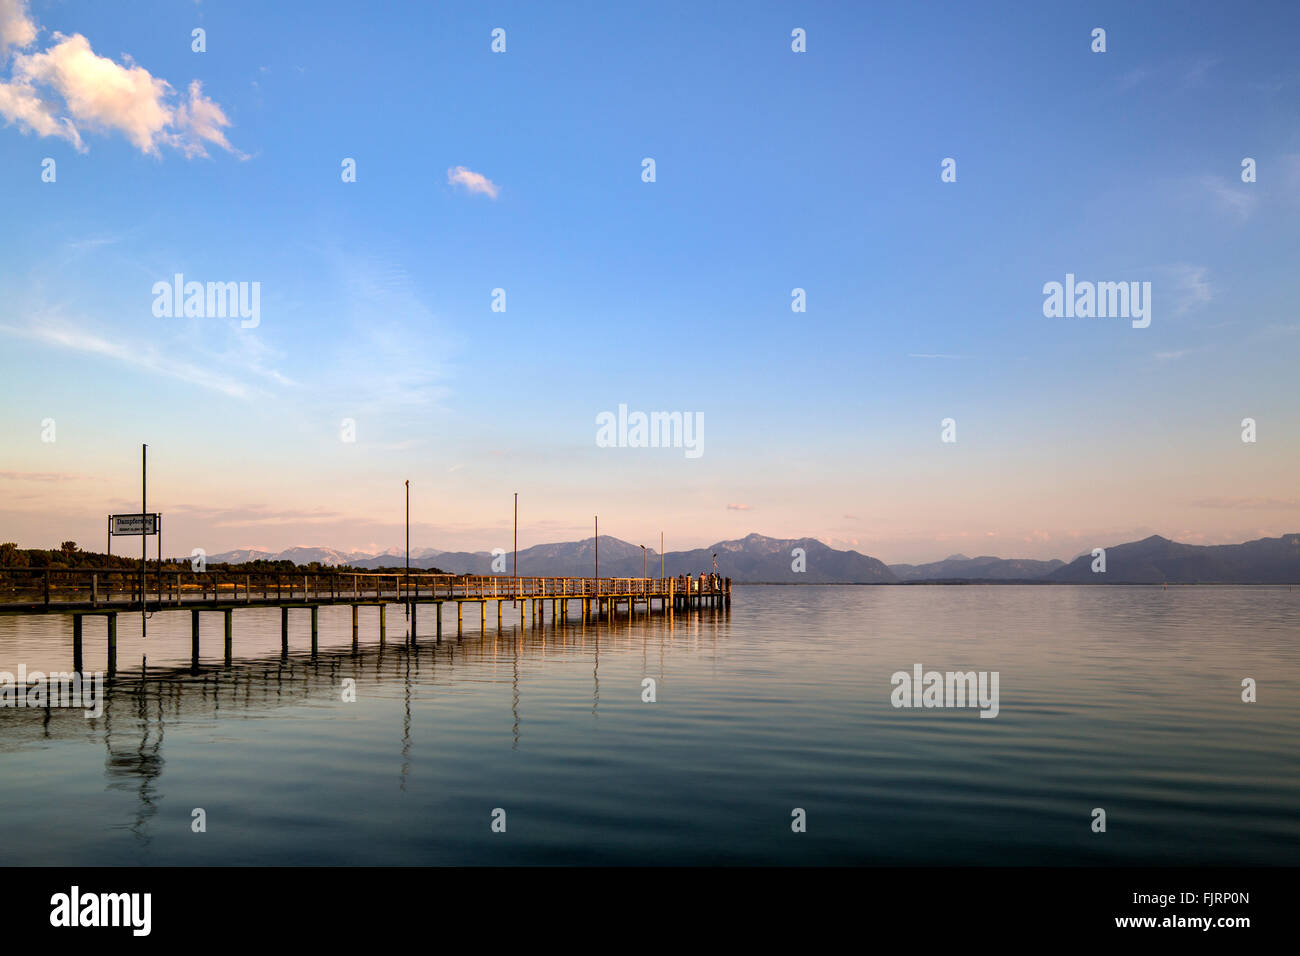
103,592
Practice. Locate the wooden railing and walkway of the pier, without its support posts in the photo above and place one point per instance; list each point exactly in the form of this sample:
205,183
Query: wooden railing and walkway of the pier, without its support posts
36,589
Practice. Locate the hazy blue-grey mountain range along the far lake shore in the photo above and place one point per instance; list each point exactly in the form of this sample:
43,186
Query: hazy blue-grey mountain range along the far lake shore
759,559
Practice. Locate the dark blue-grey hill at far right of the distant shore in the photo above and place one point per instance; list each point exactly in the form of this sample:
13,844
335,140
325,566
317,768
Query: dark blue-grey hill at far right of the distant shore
1158,561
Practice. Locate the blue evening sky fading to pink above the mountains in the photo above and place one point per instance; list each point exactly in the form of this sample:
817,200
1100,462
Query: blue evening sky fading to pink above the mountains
774,171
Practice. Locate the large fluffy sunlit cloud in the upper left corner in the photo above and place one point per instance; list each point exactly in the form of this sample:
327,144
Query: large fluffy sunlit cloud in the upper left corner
68,89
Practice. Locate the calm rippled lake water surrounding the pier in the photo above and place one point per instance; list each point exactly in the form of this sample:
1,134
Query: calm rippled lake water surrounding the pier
1123,699
